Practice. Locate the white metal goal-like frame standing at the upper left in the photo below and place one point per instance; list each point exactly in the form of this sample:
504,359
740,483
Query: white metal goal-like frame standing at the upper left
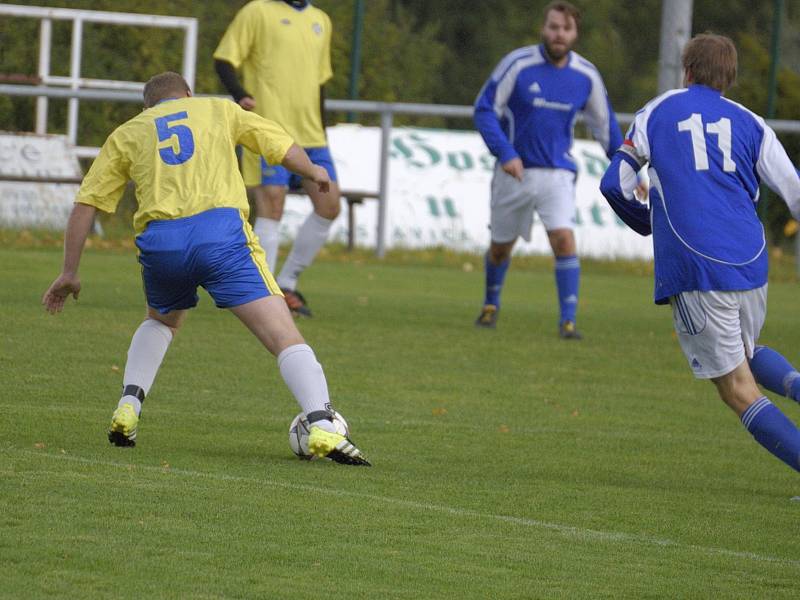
75,82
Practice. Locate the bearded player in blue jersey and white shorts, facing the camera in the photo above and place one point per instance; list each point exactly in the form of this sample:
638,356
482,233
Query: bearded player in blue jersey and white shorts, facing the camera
526,113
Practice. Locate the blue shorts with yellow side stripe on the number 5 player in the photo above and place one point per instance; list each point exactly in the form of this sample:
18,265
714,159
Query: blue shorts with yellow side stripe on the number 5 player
215,249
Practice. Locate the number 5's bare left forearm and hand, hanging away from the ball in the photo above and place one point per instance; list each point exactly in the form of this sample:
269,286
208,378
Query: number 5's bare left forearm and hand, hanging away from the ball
78,228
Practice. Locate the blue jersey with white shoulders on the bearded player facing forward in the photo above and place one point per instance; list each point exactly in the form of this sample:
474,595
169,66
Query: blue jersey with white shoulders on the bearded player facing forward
528,108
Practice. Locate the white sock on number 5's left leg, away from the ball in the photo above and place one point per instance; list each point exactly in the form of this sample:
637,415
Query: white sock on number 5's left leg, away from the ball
147,350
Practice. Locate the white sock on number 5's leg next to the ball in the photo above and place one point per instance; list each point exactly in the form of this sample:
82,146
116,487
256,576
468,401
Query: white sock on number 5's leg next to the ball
305,379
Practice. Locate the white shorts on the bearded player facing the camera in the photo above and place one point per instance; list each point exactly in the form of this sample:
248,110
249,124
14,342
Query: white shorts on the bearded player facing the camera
550,192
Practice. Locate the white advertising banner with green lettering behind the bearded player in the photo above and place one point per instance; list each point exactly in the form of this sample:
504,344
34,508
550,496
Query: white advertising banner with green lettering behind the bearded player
438,194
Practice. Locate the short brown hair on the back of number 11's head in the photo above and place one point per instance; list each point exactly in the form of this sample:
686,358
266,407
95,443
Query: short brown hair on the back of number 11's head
711,59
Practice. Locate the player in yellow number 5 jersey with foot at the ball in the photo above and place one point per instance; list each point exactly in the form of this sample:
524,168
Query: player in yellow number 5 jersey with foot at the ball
192,230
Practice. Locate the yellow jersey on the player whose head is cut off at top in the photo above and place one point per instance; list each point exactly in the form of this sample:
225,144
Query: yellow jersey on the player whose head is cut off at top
284,54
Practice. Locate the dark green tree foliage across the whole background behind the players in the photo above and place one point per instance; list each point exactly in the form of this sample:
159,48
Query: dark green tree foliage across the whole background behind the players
413,51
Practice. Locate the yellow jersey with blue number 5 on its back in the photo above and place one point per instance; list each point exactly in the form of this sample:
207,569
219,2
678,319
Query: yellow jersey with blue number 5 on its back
181,154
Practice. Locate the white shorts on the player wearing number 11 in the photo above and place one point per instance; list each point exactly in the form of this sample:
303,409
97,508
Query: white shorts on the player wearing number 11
718,330
